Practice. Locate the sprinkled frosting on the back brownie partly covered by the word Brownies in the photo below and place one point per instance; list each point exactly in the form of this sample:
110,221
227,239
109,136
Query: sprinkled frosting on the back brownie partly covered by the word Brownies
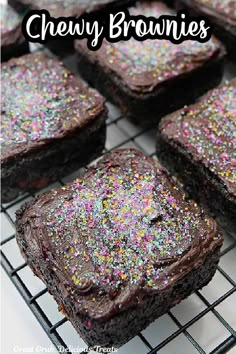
143,66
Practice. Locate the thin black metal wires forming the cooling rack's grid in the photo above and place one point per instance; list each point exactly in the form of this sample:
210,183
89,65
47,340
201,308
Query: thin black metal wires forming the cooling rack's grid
52,329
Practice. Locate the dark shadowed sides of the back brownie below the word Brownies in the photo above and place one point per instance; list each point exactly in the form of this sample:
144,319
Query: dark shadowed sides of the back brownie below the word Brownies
147,109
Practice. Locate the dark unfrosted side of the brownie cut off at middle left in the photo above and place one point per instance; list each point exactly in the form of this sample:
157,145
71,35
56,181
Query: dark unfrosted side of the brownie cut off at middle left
38,169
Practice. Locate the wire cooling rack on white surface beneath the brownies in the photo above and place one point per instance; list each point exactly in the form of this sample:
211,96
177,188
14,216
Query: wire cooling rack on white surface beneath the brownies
204,323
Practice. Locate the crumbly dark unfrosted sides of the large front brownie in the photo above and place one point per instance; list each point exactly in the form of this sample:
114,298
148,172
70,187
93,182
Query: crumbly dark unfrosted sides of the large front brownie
127,324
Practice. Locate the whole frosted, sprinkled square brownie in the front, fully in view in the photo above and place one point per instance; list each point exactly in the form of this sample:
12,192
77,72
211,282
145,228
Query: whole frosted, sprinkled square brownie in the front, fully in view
118,247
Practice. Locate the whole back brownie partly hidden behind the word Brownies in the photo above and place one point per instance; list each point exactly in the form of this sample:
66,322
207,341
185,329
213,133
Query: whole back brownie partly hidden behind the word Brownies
152,78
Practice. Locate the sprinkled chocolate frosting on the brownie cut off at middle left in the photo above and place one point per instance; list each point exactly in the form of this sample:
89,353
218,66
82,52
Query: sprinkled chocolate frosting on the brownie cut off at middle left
42,102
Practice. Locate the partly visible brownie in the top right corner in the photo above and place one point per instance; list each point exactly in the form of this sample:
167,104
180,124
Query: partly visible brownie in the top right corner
221,13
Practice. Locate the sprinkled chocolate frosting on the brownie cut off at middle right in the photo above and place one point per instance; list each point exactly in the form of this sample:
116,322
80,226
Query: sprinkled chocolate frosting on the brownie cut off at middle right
206,130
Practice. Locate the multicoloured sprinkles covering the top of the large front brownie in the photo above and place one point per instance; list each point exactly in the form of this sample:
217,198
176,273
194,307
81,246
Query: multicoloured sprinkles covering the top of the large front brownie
124,223
